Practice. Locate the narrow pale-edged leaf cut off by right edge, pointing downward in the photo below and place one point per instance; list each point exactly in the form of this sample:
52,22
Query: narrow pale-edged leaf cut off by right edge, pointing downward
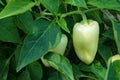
116,31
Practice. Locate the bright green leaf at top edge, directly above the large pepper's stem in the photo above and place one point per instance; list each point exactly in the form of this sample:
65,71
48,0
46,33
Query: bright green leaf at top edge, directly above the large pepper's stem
79,3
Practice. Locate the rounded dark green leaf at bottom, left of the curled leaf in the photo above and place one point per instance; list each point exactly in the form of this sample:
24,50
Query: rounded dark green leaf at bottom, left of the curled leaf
35,71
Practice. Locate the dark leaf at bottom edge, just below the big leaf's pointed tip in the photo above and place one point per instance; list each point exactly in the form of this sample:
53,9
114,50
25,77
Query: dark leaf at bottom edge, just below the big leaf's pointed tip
24,75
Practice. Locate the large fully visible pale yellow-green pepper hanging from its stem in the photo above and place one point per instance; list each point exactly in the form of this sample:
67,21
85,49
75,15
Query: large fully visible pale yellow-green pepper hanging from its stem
85,40
